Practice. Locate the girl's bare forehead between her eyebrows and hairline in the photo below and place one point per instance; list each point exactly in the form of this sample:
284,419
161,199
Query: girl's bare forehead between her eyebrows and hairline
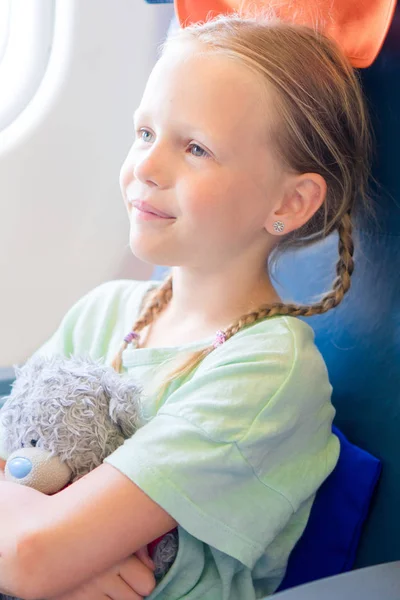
207,90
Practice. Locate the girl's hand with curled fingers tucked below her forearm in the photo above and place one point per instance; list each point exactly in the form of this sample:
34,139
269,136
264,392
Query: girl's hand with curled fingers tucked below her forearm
132,579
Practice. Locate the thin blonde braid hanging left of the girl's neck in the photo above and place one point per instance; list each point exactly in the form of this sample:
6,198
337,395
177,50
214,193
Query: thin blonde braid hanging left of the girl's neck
156,301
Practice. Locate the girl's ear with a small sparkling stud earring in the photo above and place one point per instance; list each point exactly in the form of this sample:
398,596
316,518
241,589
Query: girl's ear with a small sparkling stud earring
303,197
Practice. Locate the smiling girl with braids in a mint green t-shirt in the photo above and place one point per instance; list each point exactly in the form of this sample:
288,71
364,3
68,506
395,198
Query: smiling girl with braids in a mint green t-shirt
251,137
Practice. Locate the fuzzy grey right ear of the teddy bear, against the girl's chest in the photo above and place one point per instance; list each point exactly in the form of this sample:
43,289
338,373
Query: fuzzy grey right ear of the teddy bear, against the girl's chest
124,405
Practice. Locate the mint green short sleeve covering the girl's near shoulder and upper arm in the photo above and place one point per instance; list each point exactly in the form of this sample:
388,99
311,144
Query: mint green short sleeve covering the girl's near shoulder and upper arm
237,450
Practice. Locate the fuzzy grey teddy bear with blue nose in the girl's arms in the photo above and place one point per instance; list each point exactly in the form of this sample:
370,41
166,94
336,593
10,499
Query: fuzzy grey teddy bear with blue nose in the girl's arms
62,418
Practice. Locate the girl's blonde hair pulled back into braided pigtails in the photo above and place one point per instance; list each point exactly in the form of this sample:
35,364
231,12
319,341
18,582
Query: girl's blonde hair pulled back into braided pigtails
323,128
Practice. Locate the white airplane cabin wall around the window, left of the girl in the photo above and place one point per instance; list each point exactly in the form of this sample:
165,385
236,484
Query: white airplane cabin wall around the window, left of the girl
63,225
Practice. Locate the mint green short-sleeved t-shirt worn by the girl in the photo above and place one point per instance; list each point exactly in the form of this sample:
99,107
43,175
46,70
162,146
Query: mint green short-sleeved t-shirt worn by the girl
234,452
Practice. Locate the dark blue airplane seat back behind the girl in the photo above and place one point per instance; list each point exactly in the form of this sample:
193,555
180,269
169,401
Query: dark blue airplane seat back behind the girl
360,339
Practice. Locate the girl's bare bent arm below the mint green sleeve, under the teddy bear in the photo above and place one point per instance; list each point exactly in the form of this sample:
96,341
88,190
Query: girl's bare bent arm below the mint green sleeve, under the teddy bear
104,516
